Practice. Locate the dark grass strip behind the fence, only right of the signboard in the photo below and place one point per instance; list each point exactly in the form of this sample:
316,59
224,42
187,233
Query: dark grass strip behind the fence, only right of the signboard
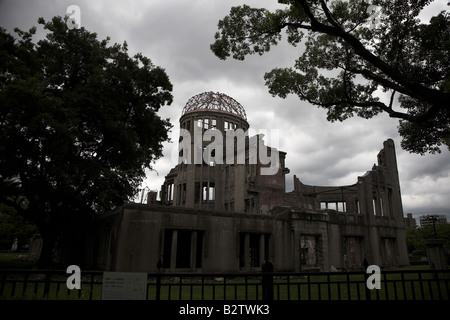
342,287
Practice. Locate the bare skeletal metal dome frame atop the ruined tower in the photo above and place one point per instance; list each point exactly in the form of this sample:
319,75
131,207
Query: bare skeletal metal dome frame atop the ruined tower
214,101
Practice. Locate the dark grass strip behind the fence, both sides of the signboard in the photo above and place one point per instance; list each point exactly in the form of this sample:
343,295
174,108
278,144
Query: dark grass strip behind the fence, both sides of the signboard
318,289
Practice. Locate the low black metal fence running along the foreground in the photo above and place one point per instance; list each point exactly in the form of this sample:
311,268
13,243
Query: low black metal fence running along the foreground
395,285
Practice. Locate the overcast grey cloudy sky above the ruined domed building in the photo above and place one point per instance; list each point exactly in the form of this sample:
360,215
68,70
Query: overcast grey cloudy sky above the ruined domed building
176,35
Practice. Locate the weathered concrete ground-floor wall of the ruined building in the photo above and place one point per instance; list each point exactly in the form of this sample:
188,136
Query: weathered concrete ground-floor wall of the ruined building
137,240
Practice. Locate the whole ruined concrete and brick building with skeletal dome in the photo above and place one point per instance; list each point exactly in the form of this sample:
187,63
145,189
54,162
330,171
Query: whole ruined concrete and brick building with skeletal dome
225,208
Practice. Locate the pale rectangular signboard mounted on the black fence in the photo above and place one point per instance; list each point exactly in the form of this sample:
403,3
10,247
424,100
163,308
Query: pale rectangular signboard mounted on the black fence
124,286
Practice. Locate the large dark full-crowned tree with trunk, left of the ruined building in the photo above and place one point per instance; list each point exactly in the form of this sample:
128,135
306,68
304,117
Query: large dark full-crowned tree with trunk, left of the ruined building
78,126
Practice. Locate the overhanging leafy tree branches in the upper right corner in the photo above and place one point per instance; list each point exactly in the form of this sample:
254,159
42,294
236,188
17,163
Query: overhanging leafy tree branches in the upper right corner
354,51
